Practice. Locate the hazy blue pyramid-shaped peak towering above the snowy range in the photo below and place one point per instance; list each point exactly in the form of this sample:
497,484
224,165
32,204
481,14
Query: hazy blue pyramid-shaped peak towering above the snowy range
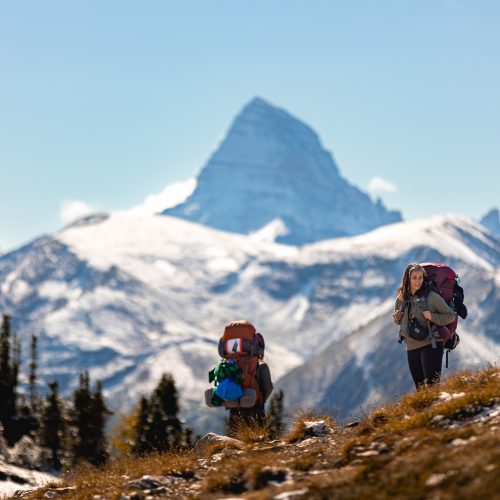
272,166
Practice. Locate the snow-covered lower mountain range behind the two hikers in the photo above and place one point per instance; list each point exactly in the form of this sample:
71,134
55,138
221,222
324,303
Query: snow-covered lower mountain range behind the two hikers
128,297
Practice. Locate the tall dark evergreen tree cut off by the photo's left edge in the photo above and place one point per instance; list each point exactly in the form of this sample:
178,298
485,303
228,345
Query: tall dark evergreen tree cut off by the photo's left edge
9,369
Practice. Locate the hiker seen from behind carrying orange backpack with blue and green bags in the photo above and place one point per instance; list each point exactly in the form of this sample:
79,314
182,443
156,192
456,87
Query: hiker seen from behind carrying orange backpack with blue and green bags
241,348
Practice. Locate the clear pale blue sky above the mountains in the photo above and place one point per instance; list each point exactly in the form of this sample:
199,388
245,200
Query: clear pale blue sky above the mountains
106,102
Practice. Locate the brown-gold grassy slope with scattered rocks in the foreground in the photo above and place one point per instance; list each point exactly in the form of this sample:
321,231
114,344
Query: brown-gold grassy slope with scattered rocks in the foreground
426,445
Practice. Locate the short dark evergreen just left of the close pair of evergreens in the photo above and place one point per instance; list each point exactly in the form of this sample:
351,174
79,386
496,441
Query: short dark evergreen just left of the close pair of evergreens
53,425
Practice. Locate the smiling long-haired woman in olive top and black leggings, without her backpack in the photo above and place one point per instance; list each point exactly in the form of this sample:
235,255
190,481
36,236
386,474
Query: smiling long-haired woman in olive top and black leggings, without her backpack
416,306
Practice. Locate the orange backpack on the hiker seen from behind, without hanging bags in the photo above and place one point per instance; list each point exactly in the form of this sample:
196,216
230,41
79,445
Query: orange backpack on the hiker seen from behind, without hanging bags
241,343
